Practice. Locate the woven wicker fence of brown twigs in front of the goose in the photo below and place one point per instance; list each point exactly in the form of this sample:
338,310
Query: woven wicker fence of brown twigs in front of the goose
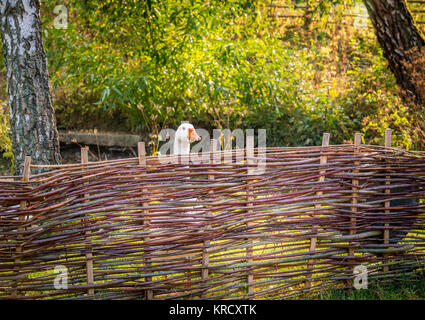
140,228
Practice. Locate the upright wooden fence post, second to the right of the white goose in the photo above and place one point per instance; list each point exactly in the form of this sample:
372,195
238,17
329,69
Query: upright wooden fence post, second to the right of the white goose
249,198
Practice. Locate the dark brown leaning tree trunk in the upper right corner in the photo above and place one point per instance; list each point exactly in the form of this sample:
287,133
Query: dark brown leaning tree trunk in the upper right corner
401,42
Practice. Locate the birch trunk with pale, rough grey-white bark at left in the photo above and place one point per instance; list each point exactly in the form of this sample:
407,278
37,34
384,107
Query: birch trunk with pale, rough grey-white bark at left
33,123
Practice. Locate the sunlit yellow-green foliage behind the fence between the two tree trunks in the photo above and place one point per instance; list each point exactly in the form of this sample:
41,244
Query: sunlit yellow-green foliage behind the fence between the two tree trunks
140,66
